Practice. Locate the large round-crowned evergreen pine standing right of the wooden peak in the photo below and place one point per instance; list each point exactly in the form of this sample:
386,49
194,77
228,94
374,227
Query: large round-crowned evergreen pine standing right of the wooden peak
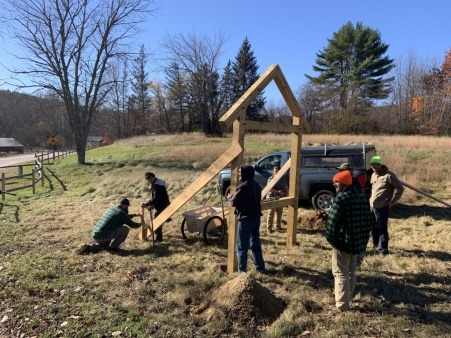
353,66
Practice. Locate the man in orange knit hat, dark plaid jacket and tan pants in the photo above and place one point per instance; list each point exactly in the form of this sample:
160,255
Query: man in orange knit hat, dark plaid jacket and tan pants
348,230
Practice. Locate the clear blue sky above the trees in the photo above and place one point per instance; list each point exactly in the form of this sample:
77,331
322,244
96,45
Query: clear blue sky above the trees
291,32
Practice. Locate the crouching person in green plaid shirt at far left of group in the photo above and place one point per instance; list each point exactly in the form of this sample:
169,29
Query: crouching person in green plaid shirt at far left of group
110,231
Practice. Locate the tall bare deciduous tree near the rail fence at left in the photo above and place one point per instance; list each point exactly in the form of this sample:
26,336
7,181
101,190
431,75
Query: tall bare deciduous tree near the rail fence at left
68,48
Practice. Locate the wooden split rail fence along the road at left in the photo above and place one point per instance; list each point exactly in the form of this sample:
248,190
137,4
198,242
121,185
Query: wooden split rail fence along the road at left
8,184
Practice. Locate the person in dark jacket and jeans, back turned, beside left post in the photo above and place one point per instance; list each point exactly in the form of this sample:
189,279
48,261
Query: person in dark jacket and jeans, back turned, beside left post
247,205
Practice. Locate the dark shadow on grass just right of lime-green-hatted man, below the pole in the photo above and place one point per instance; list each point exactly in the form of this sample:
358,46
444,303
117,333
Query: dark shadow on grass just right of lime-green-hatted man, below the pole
401,211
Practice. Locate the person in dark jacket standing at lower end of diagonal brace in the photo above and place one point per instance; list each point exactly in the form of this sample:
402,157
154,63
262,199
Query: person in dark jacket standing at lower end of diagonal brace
159,199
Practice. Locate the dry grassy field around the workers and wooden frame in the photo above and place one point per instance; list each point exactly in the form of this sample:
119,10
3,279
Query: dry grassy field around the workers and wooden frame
46,290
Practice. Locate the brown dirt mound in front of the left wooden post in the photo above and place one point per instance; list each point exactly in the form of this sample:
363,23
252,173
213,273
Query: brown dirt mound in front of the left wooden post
243,301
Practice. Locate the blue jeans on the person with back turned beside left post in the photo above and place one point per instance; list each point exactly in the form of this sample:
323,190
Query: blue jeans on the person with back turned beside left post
249,237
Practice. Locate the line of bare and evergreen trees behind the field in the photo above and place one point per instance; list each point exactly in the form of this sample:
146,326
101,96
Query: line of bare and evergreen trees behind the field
81,59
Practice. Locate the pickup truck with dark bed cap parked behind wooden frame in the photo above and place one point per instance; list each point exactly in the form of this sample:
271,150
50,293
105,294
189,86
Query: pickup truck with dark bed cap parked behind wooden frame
318,166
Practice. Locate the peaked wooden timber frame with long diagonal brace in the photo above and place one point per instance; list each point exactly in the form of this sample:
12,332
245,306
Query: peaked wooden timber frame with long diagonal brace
236,117
